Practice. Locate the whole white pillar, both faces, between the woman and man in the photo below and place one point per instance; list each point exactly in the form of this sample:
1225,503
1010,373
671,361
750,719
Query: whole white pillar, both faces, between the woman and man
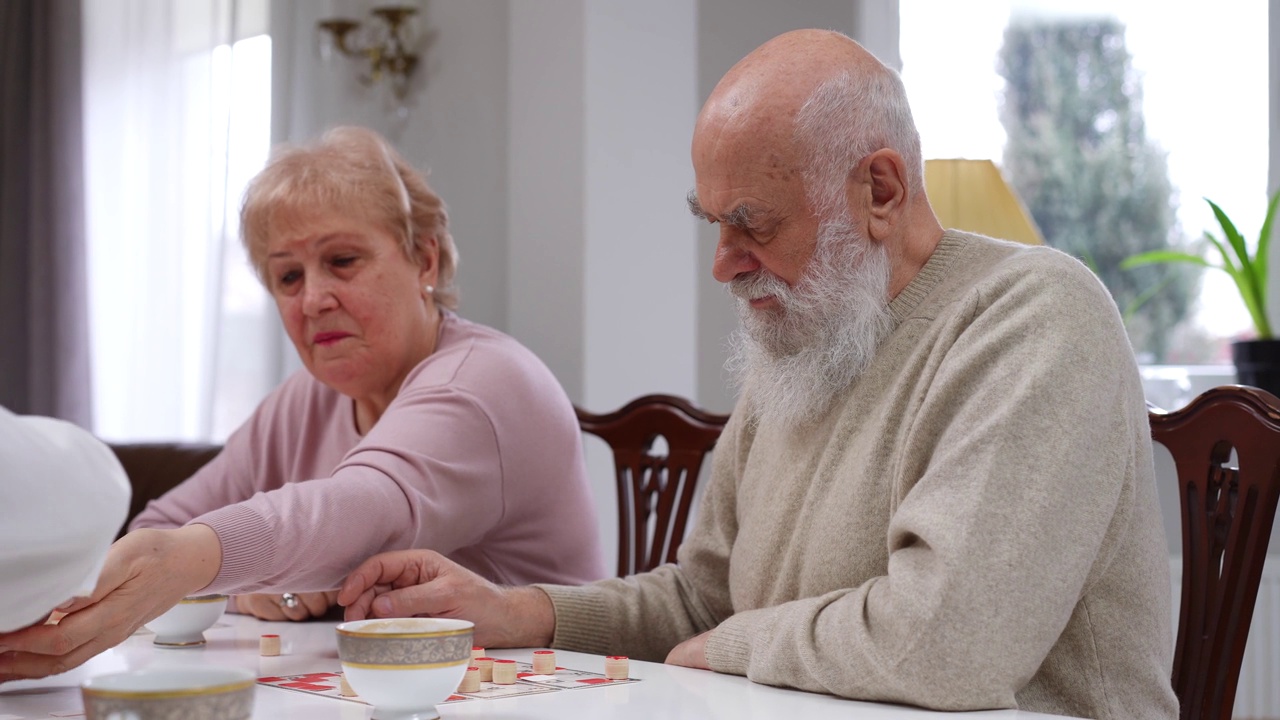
602,252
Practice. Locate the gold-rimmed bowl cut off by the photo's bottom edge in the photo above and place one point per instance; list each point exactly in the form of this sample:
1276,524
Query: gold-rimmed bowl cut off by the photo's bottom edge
171,694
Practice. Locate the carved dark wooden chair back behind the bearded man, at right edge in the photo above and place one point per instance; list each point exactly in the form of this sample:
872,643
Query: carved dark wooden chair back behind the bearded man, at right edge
1228,512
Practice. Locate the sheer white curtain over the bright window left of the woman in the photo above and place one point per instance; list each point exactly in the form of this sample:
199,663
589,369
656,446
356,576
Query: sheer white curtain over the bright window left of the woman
177,119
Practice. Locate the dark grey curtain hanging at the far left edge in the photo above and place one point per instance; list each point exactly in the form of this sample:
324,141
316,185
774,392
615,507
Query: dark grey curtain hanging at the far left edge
44,329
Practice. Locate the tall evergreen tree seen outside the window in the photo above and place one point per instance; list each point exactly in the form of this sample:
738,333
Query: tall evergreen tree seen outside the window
1080,158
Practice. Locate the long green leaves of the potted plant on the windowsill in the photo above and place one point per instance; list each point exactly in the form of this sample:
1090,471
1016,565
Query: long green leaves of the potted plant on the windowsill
1249,272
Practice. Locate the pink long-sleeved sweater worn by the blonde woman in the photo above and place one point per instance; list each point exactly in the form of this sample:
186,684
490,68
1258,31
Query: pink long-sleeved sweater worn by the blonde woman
479,458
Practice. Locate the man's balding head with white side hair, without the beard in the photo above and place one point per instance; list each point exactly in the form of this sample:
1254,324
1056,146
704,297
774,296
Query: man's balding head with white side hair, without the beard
811,129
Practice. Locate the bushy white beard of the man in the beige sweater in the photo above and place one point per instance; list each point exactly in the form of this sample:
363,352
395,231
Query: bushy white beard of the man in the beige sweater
796,359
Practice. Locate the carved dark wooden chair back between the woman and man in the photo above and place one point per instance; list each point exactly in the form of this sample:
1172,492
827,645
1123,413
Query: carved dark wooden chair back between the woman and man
656,486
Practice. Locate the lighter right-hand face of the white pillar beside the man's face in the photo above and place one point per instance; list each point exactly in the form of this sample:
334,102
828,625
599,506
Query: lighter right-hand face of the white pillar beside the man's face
642,245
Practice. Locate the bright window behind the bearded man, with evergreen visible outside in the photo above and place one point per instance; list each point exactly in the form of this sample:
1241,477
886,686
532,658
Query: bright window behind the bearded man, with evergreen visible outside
1197,94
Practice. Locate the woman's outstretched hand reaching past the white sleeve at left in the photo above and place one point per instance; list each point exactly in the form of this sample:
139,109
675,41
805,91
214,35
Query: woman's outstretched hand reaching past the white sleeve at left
147,573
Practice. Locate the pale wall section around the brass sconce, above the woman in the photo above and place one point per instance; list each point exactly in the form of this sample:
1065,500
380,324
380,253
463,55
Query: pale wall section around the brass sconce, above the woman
456,129
